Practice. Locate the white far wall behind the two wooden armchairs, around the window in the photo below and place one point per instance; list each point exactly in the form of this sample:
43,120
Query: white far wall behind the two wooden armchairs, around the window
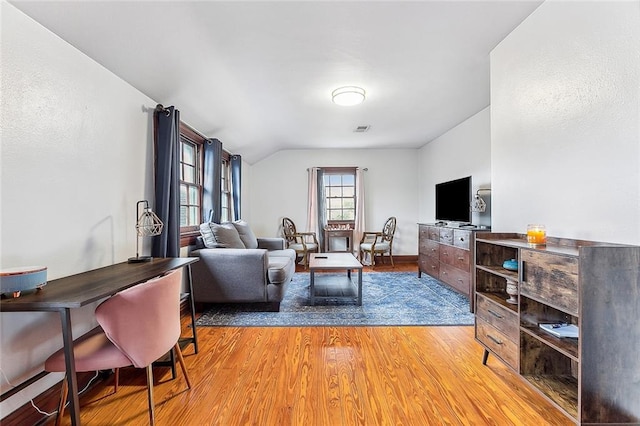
279,188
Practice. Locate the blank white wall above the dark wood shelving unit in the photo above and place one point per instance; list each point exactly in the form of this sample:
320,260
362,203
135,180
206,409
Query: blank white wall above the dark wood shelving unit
565,125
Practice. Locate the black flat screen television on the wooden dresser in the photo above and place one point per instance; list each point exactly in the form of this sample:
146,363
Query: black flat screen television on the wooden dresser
453,200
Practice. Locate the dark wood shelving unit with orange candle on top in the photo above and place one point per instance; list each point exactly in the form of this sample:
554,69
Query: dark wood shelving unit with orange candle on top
592,285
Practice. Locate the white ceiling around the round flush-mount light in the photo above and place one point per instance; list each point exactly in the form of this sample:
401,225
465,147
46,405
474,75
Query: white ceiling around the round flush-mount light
258,75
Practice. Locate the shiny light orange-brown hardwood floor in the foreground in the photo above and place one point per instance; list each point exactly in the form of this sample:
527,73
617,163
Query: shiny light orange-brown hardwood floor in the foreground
327,376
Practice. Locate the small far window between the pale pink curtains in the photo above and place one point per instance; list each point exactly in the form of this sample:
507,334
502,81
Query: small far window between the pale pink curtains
340,195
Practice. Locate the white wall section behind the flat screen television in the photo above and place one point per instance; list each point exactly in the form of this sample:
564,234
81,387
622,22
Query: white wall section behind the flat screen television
463,151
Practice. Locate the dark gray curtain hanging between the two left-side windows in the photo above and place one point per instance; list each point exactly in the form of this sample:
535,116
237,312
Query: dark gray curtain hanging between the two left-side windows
212,185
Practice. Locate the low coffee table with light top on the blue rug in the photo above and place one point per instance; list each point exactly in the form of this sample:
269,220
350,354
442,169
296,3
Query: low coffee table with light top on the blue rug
332,287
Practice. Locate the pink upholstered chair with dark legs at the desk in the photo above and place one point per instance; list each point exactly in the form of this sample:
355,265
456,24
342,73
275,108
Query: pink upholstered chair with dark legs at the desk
137,326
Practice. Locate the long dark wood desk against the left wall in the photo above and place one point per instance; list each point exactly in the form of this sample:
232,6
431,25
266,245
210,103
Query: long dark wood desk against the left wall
79,290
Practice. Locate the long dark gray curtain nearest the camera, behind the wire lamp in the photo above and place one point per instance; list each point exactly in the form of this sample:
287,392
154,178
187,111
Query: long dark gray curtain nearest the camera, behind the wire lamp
167,161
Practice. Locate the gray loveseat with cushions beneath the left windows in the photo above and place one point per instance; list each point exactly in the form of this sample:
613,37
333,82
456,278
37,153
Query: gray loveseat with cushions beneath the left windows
238,267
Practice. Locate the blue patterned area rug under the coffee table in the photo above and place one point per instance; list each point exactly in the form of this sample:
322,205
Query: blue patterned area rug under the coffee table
388,298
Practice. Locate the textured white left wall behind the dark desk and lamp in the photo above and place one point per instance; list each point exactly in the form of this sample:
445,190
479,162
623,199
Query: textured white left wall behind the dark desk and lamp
75,141
